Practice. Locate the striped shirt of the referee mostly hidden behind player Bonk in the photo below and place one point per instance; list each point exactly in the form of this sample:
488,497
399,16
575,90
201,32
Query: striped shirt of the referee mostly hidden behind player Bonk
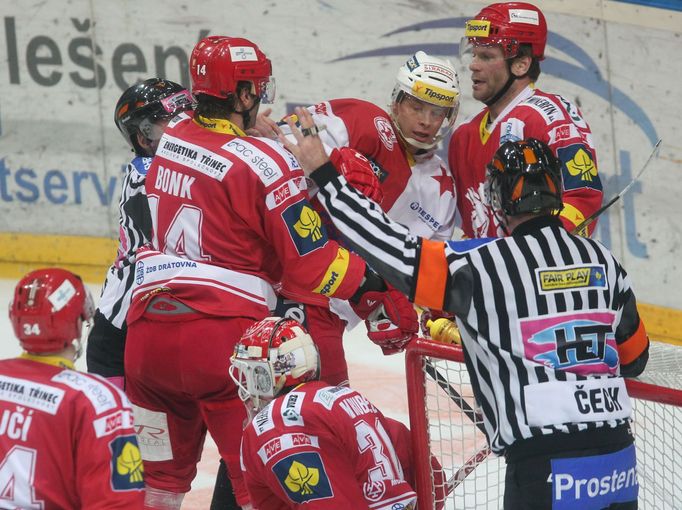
135,227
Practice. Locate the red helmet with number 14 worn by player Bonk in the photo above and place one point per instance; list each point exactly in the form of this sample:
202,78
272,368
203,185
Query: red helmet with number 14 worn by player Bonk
218,63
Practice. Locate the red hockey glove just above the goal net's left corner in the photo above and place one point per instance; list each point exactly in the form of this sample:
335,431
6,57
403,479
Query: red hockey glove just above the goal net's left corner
390,319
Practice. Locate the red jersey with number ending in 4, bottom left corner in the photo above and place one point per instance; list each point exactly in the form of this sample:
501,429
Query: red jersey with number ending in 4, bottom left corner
66,440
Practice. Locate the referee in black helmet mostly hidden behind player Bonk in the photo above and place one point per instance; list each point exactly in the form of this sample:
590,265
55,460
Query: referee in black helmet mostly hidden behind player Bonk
142,112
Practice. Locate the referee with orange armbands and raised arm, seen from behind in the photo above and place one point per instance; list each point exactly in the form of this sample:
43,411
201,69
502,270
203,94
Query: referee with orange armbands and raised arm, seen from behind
548,321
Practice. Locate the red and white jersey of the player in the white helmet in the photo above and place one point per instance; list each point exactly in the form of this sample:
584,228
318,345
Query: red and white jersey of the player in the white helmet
418,191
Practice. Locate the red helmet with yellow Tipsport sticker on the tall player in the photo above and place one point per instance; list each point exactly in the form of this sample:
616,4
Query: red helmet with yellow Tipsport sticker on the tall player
509,24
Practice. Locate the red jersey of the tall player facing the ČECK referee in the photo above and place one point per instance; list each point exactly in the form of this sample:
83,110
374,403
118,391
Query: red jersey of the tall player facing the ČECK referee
532,114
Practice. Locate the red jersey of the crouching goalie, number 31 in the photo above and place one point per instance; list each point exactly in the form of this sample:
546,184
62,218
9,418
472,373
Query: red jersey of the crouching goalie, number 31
323,447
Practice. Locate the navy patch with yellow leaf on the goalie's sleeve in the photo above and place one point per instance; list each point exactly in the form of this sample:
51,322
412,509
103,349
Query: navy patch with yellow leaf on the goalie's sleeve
303,477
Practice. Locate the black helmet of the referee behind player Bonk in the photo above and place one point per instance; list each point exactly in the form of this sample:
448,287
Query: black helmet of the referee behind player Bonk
141,105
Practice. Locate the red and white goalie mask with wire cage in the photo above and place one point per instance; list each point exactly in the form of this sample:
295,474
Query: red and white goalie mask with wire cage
272,355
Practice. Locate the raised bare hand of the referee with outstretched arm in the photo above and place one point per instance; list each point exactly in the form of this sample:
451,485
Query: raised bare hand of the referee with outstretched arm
308,149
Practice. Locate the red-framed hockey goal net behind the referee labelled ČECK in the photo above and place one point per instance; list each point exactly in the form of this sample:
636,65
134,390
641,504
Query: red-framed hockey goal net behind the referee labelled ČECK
445,422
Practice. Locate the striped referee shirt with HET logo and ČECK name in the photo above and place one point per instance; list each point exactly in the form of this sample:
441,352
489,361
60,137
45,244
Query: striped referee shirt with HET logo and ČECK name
548,320
